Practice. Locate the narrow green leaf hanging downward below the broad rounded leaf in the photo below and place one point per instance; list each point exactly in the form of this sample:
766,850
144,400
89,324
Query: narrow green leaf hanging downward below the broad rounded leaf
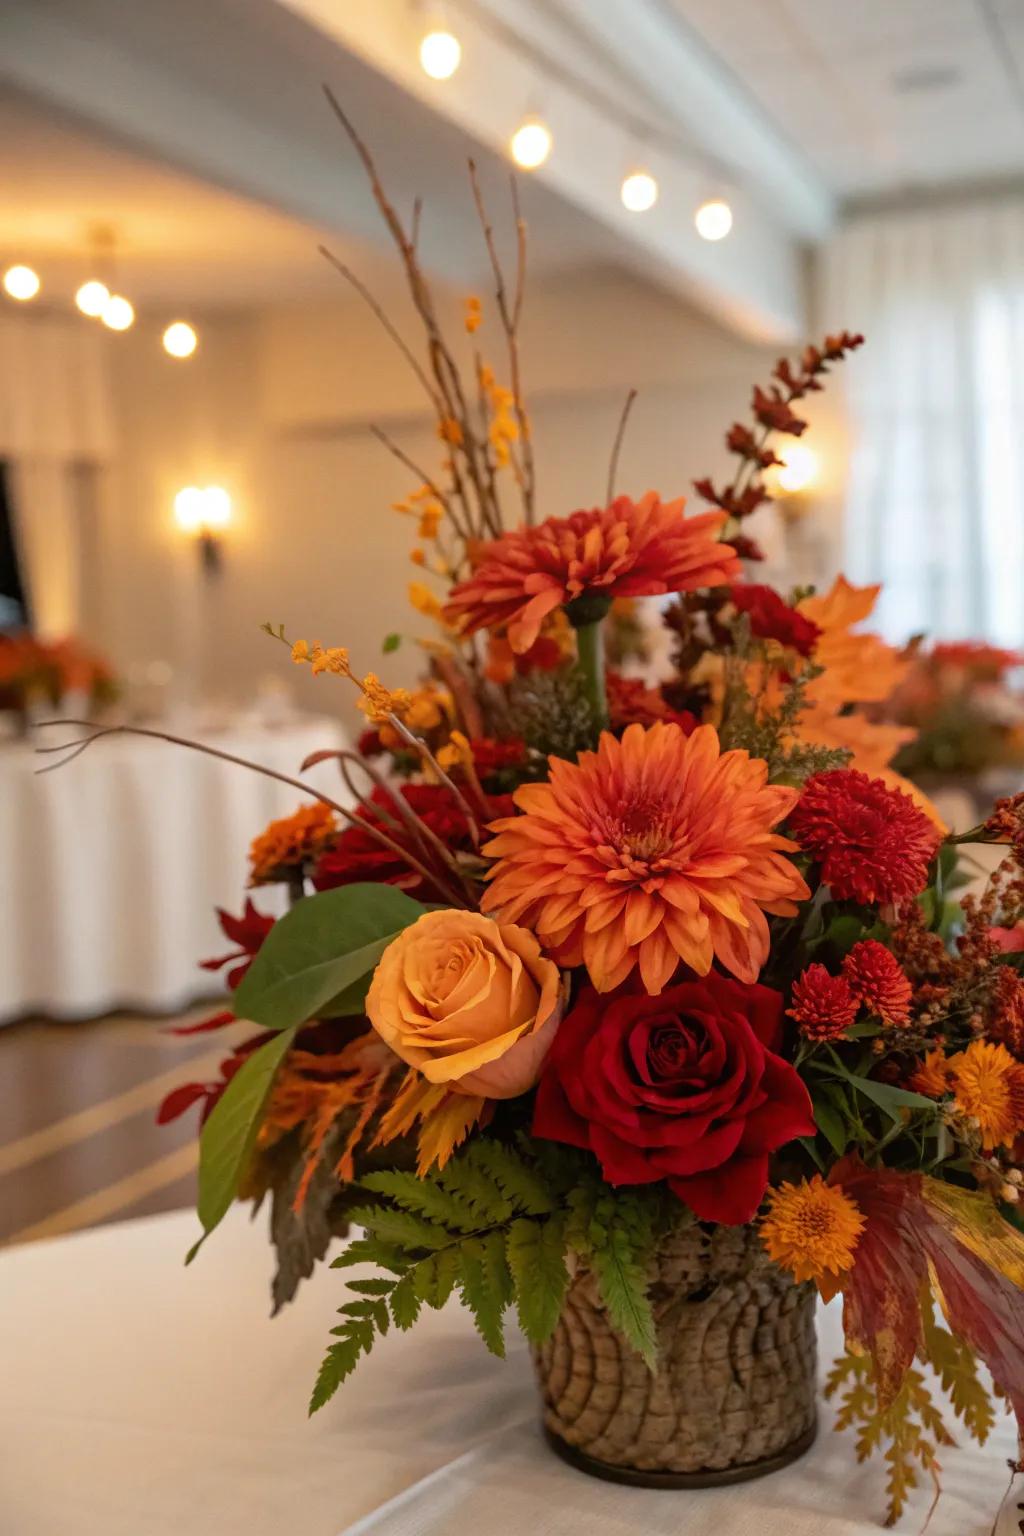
231,1133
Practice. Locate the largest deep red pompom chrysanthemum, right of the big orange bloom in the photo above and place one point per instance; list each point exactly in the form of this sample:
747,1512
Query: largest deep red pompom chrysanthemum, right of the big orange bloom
873,842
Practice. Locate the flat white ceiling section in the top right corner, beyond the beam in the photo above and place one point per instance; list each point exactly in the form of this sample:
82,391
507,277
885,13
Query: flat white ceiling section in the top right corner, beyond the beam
880,96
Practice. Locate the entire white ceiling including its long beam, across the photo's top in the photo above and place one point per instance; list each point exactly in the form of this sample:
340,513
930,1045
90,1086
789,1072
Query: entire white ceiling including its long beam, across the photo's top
197,130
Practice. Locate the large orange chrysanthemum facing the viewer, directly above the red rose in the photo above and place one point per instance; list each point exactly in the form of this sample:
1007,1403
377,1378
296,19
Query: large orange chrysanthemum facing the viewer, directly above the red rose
653,850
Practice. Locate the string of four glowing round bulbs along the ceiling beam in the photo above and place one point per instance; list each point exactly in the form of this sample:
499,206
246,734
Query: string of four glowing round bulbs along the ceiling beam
533,142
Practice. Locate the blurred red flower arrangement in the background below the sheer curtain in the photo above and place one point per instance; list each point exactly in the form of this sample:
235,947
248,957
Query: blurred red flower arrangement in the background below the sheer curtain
962,709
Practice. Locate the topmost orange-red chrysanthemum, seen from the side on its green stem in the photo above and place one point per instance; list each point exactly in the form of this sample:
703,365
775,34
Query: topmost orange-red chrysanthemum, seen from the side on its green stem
624,551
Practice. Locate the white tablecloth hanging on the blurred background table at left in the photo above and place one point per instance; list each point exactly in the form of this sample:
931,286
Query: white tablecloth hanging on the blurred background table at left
111,867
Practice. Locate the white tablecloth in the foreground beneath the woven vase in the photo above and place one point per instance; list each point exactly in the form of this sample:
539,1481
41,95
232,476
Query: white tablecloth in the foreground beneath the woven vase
139,1399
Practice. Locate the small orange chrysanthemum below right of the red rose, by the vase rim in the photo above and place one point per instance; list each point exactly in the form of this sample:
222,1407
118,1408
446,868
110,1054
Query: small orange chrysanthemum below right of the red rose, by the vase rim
813,1230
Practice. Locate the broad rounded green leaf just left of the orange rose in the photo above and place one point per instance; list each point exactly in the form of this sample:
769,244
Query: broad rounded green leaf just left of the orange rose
317,956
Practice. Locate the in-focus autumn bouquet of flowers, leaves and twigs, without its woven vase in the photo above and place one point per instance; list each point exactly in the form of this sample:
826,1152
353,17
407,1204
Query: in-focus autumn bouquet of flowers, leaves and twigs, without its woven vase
584,962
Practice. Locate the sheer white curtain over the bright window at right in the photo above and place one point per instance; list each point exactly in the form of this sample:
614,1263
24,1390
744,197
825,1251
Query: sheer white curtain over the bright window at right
936,494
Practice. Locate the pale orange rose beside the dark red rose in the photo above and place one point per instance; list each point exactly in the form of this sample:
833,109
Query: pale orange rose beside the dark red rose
467,1002
